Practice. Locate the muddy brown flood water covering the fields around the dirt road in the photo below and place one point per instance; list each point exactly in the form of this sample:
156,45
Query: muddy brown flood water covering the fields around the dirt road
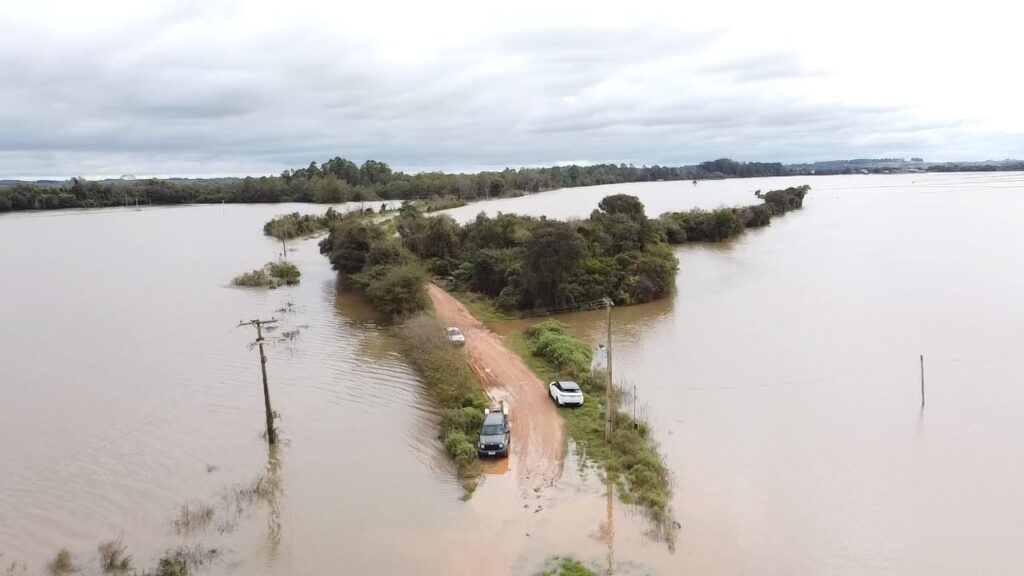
783,382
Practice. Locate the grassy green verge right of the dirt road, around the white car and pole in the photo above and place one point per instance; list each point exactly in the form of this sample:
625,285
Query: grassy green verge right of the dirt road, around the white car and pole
631,460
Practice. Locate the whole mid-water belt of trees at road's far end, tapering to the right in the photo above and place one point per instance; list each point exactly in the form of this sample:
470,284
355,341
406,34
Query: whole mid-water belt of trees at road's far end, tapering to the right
526,264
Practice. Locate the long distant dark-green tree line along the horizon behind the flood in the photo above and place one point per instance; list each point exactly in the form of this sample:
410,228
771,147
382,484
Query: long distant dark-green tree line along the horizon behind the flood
339,181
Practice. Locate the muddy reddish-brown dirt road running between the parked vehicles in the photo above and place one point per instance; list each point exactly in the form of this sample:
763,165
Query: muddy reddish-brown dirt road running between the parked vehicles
538,434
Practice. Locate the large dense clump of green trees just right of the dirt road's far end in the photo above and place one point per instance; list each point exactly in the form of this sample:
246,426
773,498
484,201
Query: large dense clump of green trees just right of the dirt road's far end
526,264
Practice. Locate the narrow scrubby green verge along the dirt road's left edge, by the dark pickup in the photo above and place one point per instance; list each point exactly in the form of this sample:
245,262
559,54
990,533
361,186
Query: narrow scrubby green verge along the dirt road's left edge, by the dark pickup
452,385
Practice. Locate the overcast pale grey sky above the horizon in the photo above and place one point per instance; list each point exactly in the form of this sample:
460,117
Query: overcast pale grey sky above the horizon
162,88
